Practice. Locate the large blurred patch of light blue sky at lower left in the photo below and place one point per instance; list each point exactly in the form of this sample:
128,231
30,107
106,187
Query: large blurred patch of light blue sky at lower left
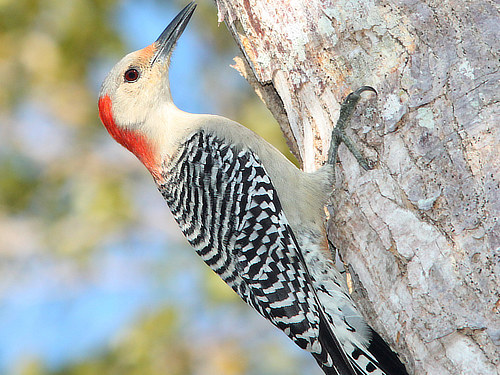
45,317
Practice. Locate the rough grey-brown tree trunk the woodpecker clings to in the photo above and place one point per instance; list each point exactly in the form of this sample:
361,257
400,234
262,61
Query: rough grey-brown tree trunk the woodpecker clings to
419,232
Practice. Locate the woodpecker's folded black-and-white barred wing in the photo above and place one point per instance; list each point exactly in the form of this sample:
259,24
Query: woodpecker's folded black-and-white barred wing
229,211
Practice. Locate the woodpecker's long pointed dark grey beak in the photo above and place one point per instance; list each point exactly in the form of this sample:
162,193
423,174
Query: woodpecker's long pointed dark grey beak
172,32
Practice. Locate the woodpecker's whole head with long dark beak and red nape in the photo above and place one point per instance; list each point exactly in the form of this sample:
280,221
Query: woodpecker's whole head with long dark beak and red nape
137,88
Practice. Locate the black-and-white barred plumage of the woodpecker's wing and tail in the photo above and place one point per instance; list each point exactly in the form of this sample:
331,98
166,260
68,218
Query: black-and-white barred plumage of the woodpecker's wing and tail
229,211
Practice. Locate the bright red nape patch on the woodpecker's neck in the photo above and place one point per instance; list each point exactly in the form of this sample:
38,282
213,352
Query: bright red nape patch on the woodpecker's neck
134,141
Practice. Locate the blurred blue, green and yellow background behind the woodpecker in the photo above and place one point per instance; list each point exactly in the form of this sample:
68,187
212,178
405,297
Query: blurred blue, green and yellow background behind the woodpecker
95,277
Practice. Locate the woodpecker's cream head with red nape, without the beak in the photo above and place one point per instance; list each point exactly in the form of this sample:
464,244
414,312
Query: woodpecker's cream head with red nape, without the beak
137,110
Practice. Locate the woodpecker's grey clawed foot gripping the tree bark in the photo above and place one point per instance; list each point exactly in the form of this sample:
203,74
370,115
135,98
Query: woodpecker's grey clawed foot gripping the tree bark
338,134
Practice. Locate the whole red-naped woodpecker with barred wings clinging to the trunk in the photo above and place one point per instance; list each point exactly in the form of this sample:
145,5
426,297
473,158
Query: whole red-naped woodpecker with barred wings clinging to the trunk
253,217
